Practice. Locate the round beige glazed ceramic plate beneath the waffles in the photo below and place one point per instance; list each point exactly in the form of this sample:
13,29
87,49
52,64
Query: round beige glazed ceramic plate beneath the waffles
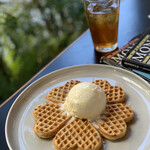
19,123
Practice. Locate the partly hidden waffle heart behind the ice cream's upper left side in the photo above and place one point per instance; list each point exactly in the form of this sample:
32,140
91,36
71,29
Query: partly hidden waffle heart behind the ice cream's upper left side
59,94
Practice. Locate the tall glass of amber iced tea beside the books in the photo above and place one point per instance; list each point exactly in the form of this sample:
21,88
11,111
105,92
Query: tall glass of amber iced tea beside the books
103,16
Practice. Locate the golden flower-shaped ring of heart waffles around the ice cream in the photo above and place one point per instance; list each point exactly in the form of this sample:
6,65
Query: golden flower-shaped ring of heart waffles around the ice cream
80,134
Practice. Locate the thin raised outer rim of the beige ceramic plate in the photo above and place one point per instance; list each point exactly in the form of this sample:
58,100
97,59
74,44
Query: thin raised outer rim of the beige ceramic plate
56,71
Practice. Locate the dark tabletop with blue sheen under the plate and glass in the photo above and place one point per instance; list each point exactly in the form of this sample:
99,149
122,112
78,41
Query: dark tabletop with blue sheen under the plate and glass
134,19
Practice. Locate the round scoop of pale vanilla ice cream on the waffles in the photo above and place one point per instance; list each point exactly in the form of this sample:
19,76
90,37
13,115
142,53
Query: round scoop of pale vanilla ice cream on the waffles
85,101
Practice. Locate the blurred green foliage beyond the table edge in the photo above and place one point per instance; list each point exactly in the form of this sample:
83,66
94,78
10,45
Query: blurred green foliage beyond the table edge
32,33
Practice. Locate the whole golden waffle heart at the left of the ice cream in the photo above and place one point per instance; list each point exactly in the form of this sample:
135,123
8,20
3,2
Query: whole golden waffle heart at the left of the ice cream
49,119
